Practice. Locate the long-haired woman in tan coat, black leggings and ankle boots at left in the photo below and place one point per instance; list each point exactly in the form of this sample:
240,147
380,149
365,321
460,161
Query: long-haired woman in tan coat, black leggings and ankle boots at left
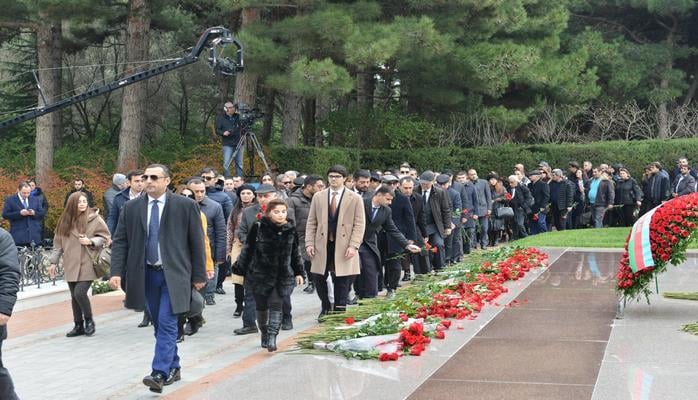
80,233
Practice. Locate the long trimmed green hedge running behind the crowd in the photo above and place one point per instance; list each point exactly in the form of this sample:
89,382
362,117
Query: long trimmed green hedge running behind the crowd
634,155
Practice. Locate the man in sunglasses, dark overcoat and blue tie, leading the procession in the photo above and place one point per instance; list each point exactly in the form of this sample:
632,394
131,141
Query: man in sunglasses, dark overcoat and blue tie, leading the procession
159,249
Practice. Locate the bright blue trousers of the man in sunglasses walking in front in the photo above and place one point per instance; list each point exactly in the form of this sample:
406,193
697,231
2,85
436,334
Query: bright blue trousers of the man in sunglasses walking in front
164,321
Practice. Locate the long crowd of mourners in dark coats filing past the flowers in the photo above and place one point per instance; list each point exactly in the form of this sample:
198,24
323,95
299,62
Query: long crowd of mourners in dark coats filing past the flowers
345,237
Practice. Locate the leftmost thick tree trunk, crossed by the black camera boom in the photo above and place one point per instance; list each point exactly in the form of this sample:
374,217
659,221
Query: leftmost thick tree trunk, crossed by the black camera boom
48,127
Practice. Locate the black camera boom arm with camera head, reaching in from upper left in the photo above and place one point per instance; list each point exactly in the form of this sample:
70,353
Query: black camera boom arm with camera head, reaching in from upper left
215,38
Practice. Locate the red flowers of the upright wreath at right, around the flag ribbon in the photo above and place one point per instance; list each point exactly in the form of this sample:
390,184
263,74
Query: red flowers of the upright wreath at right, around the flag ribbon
670,231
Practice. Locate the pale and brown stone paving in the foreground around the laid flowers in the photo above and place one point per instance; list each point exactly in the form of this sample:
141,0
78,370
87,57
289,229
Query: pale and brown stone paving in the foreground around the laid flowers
218,365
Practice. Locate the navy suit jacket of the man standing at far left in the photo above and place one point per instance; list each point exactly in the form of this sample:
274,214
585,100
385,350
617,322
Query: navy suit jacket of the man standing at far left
24,229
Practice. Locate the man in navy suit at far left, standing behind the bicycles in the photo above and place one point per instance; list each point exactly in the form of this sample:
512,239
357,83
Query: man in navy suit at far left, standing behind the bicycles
25,215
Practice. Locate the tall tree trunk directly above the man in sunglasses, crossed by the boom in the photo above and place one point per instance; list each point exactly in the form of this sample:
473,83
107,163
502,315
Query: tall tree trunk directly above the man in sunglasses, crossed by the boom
134,102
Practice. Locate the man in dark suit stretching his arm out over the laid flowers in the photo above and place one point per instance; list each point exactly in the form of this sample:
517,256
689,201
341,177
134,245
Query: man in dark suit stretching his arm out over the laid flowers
378,217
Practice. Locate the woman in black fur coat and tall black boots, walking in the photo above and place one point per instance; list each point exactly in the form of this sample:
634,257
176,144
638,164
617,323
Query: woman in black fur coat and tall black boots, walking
270,259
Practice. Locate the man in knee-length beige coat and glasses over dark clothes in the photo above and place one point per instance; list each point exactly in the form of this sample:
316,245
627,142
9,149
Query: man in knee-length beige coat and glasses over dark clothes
333,234
